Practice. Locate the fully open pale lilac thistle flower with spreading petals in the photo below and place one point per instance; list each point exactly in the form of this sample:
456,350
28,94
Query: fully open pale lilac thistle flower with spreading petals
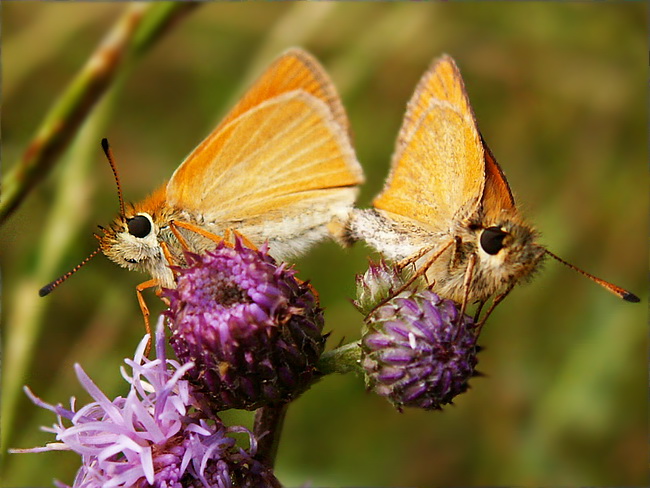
152,437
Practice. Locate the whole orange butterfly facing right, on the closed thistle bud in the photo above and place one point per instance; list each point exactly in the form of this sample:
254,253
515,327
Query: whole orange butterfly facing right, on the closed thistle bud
446,206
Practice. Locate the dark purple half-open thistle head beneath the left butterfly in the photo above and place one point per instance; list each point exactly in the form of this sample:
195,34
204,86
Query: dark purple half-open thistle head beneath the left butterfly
251,329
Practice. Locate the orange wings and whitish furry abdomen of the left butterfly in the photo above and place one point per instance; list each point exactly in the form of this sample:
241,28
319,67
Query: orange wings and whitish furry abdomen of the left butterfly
277,168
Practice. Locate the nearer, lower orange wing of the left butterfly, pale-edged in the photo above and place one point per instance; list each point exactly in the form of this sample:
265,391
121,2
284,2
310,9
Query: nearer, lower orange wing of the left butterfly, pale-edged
285,145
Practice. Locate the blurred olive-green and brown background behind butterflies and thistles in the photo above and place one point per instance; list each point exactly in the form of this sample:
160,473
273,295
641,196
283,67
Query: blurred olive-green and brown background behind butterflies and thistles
560,93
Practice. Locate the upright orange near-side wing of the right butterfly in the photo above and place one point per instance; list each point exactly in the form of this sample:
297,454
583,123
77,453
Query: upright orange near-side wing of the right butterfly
438,167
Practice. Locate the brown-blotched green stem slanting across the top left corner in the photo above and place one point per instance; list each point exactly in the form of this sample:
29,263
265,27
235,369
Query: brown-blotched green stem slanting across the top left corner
141,25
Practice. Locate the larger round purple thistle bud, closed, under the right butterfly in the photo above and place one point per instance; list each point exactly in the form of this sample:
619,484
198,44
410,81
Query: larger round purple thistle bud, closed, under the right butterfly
416,351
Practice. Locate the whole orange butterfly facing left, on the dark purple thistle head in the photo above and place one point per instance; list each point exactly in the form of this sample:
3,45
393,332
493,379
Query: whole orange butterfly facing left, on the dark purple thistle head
279,168
